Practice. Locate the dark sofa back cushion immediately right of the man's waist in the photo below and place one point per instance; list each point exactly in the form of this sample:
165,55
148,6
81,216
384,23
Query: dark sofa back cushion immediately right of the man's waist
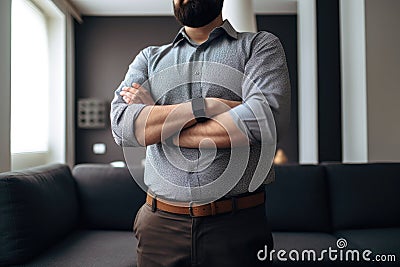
298,200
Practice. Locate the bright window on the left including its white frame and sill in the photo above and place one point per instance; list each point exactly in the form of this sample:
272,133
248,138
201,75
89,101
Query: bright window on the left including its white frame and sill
37,64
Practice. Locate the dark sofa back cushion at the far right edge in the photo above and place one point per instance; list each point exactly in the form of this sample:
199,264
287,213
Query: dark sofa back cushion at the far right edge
365,195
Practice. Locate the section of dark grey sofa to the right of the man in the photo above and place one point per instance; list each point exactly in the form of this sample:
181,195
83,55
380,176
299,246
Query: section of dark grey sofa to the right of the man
314,206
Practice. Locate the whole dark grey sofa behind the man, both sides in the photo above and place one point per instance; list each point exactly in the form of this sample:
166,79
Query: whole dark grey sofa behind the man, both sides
50,216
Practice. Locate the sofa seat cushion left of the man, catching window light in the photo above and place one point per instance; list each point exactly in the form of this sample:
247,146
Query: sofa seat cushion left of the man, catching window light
91,248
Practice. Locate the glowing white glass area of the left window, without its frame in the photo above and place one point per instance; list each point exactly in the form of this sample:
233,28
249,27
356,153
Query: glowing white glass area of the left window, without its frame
29,79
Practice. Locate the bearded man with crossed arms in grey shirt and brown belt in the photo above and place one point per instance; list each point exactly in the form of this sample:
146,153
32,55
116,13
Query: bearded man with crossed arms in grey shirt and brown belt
182,223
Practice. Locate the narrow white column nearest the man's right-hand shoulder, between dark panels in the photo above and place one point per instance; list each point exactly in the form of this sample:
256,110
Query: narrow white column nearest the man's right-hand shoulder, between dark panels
308,82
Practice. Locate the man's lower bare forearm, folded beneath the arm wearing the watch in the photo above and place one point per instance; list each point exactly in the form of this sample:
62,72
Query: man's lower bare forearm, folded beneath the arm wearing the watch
221,132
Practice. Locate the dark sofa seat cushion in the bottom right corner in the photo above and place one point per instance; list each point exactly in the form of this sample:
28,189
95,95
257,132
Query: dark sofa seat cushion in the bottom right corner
382,241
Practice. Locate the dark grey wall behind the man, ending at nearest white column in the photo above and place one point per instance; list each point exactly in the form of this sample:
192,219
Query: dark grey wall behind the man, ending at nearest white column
105,46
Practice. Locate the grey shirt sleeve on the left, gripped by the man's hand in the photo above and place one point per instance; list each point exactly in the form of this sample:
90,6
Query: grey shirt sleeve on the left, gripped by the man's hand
122,115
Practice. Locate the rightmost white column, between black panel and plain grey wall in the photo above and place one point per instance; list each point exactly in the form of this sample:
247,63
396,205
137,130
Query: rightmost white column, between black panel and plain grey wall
354,82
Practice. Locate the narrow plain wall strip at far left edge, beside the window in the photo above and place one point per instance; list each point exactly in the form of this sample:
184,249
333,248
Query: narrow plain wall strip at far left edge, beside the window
5,84
